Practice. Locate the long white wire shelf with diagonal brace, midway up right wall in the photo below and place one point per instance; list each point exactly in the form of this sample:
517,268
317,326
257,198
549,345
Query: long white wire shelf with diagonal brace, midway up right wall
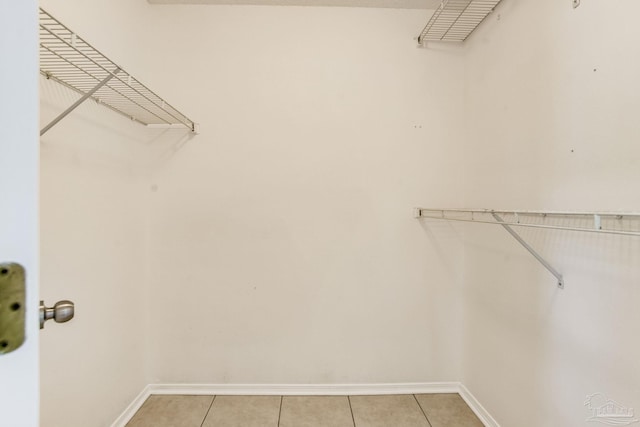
621,223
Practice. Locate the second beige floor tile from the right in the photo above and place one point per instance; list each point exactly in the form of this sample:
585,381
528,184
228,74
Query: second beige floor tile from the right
385,411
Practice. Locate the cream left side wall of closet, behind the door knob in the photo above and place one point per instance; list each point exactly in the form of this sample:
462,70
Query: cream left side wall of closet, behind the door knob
92,228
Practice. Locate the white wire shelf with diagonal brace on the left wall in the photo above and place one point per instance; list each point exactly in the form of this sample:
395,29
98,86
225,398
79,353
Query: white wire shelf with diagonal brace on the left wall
69,60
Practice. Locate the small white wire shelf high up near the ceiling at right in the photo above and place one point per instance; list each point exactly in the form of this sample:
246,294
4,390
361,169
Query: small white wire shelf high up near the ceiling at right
454,20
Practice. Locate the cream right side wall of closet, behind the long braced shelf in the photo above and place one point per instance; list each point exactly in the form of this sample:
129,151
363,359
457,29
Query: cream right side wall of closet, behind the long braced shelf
553,102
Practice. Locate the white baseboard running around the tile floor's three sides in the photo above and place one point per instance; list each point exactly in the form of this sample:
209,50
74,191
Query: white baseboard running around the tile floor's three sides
307,390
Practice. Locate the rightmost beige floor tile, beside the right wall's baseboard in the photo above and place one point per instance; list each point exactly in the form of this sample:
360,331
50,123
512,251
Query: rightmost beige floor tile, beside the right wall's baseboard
444,410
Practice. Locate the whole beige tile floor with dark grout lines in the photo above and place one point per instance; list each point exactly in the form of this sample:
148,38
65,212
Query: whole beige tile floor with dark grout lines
407,410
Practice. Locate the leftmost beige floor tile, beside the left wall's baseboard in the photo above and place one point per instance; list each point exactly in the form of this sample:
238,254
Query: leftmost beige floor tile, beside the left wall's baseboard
172,411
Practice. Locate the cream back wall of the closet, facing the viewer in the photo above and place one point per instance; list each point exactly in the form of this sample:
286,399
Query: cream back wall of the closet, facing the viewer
283,244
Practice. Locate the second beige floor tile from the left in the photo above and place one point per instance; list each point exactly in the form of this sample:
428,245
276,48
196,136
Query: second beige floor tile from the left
244,411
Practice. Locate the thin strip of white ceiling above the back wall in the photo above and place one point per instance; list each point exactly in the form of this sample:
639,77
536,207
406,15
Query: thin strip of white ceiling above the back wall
396,4
